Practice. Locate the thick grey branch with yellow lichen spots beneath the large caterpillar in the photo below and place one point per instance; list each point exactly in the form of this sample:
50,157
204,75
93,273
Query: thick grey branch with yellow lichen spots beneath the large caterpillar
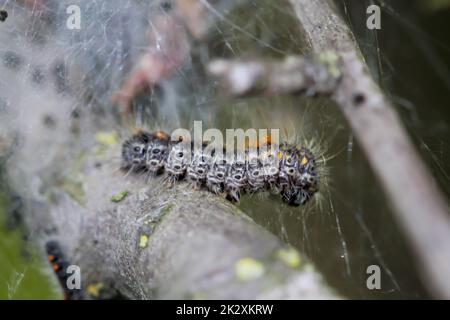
160,243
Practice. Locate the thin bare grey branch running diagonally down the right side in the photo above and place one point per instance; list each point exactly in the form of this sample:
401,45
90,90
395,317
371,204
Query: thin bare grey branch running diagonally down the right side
420,207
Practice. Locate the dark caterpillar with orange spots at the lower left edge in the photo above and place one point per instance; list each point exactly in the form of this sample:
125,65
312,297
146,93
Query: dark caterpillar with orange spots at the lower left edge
59,264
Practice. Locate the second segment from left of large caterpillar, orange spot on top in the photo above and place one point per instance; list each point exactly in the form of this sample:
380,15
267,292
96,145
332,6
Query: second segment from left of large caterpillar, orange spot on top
157,151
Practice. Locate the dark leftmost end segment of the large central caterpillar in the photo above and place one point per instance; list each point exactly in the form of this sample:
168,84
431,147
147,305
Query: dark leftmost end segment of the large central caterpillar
134,151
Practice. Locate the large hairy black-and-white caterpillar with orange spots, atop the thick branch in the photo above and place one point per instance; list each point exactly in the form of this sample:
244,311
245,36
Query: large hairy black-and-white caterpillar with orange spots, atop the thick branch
287,169
